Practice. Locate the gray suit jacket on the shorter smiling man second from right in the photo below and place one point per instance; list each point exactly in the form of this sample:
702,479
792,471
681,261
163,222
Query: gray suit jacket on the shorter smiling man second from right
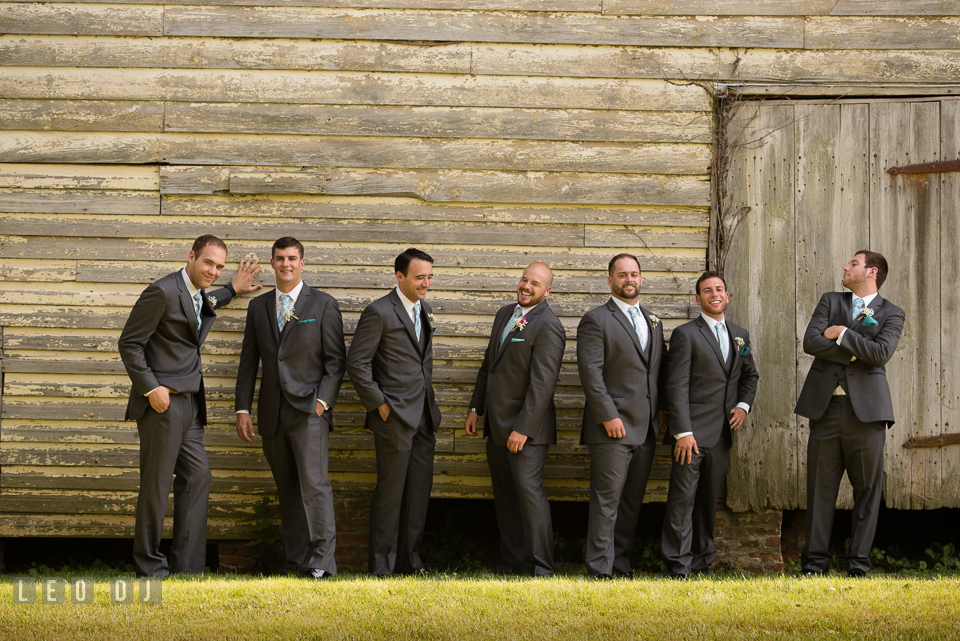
701,387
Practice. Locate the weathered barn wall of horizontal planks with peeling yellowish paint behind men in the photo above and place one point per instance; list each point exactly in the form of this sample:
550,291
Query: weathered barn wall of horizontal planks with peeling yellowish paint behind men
489,133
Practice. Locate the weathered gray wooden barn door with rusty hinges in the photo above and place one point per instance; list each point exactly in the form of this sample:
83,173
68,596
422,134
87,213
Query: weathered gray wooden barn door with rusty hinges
814,177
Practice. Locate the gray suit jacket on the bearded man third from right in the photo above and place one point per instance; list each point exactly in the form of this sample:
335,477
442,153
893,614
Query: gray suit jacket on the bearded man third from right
619,380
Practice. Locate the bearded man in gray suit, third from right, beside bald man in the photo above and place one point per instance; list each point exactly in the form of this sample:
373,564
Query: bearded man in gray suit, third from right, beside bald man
622,361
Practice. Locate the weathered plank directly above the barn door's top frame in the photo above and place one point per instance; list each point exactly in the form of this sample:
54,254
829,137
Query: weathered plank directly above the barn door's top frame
872,66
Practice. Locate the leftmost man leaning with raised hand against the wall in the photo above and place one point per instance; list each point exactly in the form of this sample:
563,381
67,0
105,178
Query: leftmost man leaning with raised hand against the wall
160,349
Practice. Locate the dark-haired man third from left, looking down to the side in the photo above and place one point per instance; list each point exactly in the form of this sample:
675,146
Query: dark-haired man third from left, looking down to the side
390,363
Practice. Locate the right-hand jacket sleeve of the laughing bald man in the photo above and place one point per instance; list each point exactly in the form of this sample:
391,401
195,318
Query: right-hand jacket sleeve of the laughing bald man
544,372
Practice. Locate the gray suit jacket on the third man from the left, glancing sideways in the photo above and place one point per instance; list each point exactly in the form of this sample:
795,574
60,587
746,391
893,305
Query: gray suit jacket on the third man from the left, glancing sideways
387,365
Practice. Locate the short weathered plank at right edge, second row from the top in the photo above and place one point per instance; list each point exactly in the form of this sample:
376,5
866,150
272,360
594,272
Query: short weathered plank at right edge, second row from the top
882,33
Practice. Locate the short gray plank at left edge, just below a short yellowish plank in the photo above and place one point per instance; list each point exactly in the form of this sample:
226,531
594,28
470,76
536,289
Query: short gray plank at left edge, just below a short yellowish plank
78,201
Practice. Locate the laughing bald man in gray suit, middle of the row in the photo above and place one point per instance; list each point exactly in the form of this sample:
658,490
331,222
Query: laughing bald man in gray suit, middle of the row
514,393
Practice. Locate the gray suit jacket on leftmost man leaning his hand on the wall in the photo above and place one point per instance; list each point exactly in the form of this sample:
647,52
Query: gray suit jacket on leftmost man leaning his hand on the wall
160,343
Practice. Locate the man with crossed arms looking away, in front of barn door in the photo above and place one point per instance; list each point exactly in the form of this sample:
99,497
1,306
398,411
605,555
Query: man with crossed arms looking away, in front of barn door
852,335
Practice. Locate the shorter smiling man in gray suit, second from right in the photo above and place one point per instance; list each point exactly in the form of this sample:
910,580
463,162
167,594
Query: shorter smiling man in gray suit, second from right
711,383
